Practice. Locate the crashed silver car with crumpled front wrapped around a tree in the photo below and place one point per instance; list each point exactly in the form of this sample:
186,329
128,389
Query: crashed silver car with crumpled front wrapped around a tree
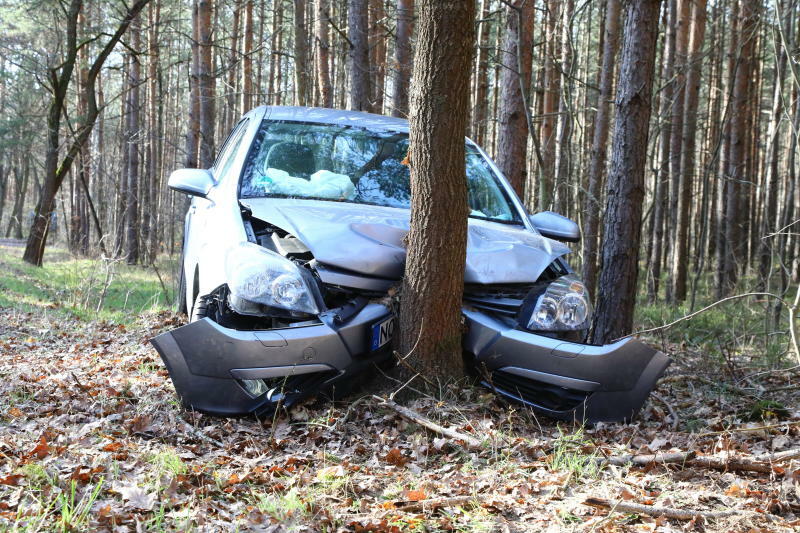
294,242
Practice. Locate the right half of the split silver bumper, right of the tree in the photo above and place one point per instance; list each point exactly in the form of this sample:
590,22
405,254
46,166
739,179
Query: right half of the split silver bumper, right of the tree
561,379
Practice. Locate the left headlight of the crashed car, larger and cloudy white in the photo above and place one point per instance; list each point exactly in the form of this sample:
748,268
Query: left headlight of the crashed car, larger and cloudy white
260,276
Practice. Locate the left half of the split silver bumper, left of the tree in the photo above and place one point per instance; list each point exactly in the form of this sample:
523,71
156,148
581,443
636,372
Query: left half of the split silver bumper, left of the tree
208,363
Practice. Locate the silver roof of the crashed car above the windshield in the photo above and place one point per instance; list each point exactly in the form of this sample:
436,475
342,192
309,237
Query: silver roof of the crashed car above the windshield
337,117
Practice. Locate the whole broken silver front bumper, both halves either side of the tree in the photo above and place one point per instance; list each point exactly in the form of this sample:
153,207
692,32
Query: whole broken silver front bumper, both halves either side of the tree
563,380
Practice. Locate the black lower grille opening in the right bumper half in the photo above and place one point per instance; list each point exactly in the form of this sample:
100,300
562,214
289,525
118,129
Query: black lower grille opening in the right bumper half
535,392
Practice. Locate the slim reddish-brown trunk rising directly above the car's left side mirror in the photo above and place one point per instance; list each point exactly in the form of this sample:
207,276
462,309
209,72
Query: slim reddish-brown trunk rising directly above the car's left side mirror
206,82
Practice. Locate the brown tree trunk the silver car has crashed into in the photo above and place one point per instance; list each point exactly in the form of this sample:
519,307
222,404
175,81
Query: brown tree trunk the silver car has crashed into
430,322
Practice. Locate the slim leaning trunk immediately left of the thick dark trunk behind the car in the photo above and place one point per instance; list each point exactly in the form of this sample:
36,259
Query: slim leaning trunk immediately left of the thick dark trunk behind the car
597,166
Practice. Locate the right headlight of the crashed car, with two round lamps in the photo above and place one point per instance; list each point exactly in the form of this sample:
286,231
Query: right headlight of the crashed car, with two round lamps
563,306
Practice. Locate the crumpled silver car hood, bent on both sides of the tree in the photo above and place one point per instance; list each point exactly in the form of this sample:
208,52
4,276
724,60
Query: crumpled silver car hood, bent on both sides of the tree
369,240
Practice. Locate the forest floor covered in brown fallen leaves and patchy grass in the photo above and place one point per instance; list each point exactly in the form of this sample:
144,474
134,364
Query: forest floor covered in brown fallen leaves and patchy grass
92,438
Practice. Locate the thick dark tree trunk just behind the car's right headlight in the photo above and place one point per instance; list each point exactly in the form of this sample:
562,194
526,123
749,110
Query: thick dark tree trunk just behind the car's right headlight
625,186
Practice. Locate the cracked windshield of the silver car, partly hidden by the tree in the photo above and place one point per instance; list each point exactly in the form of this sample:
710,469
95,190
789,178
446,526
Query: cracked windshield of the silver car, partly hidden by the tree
347,164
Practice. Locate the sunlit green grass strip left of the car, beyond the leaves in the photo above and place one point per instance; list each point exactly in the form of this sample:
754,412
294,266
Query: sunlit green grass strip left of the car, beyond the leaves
85,288
